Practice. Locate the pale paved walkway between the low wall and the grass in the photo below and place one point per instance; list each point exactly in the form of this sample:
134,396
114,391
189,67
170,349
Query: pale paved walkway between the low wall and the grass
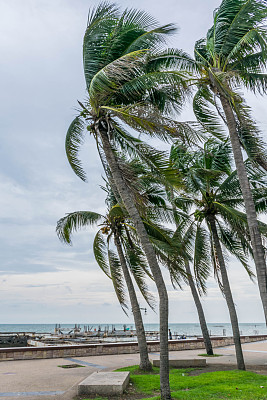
44,380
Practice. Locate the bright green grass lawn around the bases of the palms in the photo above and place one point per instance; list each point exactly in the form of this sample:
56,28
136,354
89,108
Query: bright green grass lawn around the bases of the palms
207,386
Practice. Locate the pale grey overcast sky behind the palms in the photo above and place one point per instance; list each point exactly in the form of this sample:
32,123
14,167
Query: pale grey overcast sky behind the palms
42,280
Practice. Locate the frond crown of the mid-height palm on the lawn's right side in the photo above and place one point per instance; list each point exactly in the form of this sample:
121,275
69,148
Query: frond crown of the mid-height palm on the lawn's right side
215,191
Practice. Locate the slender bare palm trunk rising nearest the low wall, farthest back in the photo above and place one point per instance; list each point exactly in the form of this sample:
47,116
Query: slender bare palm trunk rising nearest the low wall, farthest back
201,315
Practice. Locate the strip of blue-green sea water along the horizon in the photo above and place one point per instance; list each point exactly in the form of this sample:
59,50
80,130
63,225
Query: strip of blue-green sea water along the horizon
186,329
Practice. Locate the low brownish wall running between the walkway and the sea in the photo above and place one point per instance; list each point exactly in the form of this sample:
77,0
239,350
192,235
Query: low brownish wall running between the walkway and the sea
30,353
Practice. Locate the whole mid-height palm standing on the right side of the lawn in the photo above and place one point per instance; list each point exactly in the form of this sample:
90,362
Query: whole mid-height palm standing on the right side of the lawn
212,191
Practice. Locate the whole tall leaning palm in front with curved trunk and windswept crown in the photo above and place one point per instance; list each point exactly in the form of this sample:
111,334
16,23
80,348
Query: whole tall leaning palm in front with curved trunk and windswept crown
126,87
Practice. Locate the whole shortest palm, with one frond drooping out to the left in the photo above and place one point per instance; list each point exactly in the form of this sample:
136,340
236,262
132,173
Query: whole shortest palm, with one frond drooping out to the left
116,266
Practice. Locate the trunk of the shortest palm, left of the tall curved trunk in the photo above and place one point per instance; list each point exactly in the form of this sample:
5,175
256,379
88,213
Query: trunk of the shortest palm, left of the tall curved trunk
145,364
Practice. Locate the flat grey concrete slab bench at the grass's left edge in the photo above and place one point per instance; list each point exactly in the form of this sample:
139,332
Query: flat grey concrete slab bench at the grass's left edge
104,383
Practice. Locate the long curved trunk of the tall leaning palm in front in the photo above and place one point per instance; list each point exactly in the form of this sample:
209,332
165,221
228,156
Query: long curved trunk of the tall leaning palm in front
129,203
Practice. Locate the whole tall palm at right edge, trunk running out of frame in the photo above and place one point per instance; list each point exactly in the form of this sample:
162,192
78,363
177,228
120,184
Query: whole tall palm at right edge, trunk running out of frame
234,55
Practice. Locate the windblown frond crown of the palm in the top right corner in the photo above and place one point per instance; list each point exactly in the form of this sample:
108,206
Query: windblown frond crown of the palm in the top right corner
233,55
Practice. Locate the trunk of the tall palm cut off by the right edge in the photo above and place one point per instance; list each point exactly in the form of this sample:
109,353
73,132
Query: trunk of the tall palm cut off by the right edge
254,231
